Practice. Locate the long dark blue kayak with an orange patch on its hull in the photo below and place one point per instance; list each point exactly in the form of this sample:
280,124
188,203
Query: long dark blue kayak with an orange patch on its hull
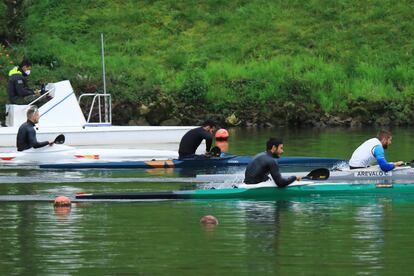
225,161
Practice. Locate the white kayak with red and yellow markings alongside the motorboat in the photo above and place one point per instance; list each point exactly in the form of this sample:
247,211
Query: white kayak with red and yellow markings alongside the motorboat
63,154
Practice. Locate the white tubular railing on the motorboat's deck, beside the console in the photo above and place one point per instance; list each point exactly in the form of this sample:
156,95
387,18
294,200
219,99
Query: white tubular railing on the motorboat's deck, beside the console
101,102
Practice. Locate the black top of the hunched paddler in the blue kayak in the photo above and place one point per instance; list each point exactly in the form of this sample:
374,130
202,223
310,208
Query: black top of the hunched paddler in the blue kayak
192,139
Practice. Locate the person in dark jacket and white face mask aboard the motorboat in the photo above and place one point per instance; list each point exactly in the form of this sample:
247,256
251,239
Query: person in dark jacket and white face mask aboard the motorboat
19,92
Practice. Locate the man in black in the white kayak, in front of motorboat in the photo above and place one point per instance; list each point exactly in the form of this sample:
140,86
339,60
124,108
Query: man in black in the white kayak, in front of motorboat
26,136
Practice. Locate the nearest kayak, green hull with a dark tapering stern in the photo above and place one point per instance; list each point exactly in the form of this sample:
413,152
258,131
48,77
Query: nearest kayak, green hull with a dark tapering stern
311,189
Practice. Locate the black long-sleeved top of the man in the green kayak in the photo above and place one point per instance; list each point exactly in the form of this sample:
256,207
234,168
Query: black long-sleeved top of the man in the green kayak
259,168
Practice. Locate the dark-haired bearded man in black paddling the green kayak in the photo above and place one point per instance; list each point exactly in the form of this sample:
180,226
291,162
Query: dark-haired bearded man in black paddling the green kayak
264,163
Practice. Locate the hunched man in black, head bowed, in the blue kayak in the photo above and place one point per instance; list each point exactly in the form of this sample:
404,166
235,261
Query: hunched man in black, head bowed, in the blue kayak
193,138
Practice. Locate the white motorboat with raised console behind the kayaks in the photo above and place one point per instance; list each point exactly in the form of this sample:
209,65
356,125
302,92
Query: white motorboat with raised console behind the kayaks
62,113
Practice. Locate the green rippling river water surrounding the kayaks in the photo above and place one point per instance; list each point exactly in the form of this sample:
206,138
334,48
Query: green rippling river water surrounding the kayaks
301,236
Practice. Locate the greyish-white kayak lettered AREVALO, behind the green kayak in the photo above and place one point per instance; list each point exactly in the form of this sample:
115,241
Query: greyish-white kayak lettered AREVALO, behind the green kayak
345,174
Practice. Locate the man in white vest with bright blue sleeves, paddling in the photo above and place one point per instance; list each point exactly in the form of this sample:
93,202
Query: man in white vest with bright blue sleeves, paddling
373,150
